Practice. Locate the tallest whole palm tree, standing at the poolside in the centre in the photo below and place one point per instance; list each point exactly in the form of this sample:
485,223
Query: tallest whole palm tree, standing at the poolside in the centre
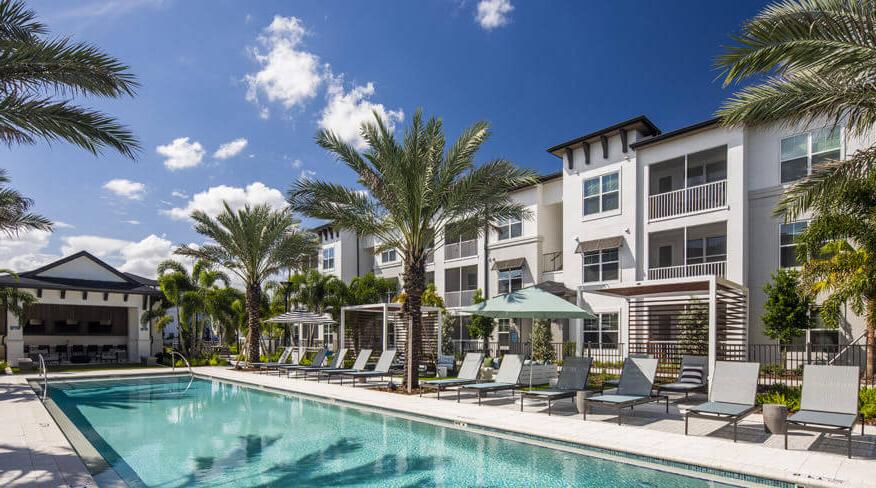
414,188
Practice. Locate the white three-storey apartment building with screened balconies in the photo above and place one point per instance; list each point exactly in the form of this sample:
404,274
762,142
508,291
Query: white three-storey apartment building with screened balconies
635,215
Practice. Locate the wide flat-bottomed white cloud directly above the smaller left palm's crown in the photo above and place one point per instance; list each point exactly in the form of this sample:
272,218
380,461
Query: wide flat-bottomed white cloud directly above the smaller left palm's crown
211,200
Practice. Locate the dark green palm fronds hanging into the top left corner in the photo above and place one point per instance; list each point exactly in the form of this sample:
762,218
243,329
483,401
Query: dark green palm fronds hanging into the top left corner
33,69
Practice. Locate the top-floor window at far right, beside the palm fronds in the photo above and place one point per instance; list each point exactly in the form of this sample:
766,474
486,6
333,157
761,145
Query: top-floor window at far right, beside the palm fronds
803,152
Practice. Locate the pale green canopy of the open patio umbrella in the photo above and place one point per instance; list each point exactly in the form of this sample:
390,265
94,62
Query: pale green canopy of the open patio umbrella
528,303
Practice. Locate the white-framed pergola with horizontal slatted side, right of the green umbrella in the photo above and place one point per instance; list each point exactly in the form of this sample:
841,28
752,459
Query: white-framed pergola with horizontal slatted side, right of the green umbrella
661,324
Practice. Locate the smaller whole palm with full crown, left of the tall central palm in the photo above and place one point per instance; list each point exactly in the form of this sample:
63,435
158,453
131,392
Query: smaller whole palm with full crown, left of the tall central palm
253,243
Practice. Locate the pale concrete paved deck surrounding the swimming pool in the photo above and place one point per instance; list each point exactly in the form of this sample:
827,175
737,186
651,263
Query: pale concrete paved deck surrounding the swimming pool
36,453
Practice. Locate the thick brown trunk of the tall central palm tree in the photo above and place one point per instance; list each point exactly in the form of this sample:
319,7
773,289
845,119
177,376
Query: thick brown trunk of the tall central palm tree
415,283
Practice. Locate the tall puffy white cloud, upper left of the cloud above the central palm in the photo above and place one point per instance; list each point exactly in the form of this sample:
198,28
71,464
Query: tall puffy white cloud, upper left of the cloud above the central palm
288,75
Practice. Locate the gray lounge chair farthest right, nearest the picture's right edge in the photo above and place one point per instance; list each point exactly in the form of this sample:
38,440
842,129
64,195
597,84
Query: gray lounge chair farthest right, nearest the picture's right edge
829,402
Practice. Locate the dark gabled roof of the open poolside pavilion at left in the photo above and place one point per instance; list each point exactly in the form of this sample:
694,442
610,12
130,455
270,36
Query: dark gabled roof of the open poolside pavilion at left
130,283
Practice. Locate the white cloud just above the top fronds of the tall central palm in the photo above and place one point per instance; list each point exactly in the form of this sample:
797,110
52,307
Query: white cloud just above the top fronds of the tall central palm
347,110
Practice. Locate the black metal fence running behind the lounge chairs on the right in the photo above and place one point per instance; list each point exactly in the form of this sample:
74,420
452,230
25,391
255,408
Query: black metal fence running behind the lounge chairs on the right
779,364
